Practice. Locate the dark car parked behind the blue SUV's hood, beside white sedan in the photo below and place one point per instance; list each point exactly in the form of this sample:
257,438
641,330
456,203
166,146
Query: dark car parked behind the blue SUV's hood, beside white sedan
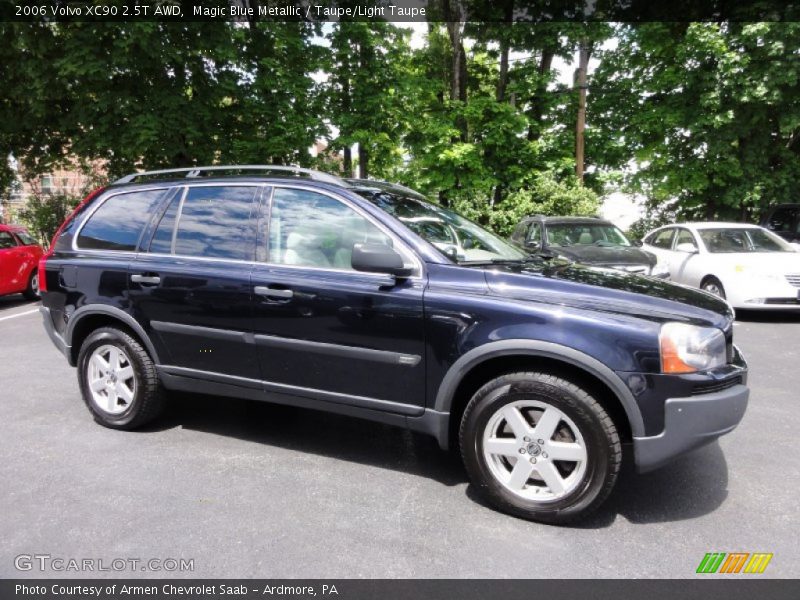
587,240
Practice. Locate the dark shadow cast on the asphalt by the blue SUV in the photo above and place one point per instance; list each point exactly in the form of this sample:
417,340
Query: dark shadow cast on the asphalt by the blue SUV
691,486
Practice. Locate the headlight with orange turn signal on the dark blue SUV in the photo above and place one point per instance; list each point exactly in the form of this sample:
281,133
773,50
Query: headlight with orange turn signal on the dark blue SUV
688,348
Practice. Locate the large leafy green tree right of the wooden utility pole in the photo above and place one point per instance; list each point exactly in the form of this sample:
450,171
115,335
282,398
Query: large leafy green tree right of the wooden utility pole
710,113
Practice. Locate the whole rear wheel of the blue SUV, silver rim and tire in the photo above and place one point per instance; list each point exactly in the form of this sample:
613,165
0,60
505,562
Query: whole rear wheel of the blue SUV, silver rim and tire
118,380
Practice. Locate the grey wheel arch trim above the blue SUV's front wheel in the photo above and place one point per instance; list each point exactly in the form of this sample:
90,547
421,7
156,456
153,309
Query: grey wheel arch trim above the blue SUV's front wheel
535,348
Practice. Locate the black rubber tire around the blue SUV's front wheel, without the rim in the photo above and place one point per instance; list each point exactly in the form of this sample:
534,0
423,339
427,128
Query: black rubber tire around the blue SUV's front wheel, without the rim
601,440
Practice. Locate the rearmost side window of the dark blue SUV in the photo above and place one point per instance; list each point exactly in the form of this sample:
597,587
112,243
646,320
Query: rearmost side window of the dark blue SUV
119,221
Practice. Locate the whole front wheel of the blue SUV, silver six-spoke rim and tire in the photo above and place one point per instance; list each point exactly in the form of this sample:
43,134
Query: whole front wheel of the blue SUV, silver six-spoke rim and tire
540,447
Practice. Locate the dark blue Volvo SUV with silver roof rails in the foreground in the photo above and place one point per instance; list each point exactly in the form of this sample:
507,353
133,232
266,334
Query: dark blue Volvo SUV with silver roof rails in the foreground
288,285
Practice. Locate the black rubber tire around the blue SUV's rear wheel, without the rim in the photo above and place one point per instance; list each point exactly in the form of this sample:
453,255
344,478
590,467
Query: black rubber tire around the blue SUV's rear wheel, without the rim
148,397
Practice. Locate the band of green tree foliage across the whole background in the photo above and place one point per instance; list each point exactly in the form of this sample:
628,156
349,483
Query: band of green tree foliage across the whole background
702,117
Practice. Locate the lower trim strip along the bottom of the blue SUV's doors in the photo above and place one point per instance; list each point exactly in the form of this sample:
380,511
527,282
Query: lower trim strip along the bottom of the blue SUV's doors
293,390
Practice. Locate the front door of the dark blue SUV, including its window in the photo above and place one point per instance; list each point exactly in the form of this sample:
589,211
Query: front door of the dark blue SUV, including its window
324,330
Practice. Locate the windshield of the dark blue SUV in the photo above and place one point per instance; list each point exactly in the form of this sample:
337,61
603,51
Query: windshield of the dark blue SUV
454,236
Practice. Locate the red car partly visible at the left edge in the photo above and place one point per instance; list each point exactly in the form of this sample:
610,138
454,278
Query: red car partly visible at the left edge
19,261
